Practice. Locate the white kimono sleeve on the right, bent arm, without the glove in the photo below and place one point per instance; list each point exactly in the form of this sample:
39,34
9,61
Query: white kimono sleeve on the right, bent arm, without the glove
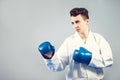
104,58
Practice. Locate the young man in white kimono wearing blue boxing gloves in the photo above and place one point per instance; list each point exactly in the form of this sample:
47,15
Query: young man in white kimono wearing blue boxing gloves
85,52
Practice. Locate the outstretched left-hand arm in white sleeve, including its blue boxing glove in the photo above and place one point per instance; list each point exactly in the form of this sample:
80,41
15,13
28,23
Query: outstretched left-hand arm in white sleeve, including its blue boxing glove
56,61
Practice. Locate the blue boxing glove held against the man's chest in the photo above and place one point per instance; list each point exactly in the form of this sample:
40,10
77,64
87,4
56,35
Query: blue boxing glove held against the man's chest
82,56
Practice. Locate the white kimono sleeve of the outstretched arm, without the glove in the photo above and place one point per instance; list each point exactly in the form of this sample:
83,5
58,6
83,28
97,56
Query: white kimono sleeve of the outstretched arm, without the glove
60,60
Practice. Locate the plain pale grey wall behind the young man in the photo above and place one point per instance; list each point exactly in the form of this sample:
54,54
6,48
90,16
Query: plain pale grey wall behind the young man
24,24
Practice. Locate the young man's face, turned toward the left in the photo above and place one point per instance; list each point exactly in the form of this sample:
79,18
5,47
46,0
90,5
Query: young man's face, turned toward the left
79,23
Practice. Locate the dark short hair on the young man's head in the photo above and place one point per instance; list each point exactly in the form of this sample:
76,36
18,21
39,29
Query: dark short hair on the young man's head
82,11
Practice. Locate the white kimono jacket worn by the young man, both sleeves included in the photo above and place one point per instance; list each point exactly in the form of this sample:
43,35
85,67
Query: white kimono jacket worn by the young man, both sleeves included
101,57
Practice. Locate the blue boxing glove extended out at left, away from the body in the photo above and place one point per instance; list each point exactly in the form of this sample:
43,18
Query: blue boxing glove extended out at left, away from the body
46,48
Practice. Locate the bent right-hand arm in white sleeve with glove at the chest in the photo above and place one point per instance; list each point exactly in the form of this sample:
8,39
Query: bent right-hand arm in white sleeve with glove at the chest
99,59
